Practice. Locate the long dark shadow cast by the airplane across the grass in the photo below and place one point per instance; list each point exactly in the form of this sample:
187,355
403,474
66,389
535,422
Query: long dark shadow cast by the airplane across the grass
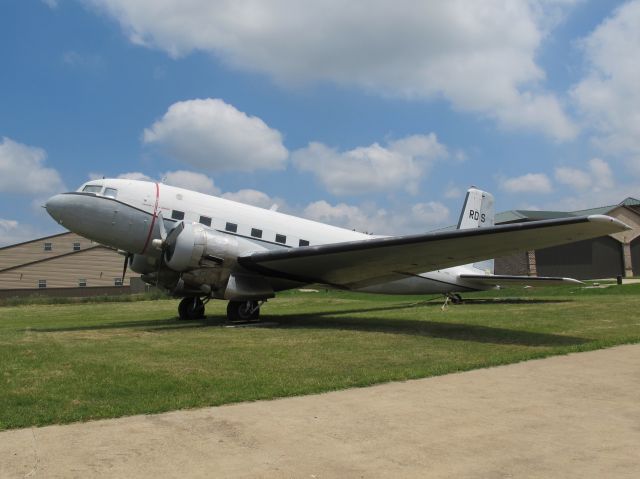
347,321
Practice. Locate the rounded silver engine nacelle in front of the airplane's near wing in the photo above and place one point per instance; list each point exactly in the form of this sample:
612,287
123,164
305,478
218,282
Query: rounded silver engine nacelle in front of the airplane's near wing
197,247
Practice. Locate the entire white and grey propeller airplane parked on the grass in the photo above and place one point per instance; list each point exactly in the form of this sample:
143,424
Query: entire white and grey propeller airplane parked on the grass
200,247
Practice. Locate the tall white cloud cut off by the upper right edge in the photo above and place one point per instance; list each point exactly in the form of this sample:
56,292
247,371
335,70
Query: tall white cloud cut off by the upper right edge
608,95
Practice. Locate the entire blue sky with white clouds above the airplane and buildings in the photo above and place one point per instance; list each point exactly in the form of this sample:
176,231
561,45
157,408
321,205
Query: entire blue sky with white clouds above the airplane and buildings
368,114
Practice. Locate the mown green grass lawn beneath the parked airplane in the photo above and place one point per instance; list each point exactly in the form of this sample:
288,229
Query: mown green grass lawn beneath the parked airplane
61,363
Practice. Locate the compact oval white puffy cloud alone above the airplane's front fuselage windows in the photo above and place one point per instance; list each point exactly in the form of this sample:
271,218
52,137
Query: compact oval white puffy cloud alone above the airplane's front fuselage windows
213,135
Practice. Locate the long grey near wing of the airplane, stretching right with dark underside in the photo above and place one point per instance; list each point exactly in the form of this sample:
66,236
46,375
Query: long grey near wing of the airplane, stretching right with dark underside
357,264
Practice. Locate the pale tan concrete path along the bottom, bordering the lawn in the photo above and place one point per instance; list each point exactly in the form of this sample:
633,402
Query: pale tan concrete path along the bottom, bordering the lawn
574,416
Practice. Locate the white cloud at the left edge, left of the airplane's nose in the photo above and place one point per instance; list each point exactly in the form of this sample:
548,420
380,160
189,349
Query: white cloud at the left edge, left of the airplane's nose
22,170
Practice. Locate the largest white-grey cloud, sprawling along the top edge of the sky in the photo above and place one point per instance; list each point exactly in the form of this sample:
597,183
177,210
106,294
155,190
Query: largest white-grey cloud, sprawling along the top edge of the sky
480,56
